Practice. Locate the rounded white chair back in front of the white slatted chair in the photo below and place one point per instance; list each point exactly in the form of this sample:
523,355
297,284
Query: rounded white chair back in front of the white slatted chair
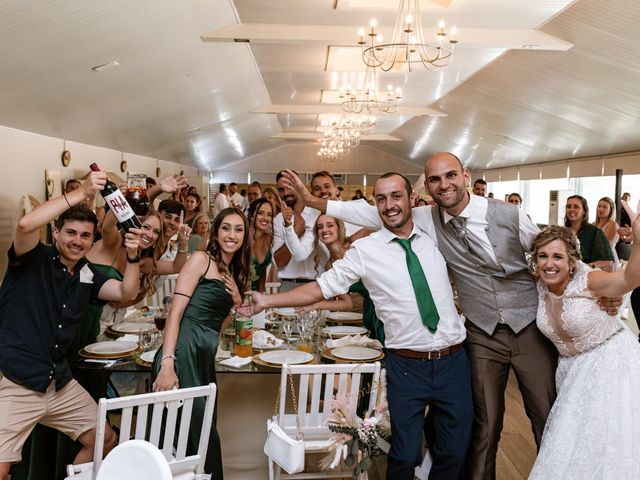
133,460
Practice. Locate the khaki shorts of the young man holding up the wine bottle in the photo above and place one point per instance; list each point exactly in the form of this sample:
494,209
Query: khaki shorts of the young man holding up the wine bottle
70,410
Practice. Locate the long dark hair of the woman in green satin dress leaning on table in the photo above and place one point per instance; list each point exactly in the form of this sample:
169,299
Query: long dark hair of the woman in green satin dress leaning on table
241,261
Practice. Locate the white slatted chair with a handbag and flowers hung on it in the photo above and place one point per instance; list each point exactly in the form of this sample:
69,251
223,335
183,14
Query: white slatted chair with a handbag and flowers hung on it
318,384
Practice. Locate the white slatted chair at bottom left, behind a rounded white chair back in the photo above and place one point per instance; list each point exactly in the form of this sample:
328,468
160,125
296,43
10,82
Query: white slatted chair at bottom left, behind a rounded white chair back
172,402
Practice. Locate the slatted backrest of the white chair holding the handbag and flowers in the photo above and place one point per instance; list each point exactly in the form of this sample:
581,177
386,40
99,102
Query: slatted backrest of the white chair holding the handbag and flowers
318,384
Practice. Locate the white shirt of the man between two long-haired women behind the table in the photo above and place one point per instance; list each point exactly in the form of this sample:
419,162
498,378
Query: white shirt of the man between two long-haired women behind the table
302,264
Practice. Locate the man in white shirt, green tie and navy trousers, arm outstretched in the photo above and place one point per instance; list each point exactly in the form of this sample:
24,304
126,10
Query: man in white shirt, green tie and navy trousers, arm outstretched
426,364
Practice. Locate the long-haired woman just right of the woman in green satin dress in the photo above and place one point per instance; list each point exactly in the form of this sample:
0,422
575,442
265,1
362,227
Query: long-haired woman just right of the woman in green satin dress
261,239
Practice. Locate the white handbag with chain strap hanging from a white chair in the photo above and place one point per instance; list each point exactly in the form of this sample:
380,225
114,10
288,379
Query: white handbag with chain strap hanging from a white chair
280,447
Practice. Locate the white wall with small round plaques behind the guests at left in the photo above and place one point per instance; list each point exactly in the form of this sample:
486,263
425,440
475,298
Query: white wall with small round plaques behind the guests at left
25,156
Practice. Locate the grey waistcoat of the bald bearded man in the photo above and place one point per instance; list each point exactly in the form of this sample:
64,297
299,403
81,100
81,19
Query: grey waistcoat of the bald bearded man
487,293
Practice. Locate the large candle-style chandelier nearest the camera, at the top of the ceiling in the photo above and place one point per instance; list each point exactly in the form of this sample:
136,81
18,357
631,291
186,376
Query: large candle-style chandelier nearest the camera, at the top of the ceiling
408,44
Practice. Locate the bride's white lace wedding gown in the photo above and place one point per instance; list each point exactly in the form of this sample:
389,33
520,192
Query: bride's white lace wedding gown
593,430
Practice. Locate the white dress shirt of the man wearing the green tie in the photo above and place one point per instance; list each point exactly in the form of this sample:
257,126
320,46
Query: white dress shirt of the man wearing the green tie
381,264
